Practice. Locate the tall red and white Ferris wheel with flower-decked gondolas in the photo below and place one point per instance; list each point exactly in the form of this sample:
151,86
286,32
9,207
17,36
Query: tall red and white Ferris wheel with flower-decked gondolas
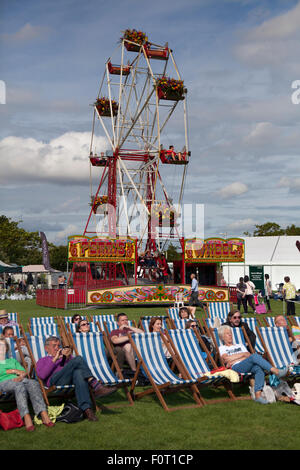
141,109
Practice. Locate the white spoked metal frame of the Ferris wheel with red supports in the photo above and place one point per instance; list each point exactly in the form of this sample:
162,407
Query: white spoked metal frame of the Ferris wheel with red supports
131,169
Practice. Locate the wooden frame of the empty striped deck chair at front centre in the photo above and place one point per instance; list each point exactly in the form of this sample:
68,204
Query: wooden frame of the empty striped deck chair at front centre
167,387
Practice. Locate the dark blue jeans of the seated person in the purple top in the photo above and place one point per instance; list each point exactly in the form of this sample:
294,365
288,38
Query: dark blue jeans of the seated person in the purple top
75,372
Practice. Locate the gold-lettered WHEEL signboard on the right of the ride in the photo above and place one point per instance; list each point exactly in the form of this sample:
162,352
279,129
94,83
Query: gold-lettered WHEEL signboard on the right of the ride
214,250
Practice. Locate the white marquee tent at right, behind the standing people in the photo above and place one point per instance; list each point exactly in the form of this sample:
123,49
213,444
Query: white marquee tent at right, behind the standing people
279,255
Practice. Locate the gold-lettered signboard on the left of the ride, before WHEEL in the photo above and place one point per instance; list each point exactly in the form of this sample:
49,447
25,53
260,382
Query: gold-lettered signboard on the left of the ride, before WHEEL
100,250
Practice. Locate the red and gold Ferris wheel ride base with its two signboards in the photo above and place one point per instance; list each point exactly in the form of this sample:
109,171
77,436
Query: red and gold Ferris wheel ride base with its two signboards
104,272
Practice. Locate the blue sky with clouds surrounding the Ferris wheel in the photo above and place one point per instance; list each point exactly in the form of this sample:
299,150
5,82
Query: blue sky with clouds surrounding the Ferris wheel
239,60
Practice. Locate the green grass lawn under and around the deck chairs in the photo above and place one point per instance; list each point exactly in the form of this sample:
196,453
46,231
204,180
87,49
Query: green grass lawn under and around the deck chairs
243,425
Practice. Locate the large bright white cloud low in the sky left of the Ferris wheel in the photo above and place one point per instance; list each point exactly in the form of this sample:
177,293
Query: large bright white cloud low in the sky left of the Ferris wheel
64,160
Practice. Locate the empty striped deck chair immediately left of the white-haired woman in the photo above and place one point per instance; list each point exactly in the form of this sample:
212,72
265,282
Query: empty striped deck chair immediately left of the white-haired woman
187,345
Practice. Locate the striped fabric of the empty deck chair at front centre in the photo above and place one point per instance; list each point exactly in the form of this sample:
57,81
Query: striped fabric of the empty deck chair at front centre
149,346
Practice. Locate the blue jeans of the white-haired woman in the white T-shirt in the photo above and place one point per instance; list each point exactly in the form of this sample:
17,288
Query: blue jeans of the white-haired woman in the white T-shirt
256,365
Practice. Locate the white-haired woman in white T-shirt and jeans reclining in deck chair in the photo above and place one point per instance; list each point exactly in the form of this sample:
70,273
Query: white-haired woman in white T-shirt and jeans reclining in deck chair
237,358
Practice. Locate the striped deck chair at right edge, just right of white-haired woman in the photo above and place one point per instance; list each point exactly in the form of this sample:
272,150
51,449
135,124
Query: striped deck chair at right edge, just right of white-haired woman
278,347
